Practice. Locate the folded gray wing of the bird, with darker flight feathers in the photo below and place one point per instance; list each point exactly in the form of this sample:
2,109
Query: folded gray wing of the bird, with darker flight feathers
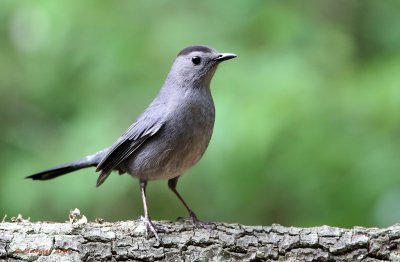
131,140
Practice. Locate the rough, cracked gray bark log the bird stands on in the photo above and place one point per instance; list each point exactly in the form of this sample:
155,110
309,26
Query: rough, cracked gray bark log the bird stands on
126,241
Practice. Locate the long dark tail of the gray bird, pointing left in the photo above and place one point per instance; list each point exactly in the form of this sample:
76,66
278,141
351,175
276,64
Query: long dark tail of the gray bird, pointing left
89,161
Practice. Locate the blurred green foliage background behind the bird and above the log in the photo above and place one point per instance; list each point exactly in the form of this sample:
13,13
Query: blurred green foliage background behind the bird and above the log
308,116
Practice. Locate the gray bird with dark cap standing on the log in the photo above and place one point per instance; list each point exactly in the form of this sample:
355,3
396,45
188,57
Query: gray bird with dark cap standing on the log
169,137
